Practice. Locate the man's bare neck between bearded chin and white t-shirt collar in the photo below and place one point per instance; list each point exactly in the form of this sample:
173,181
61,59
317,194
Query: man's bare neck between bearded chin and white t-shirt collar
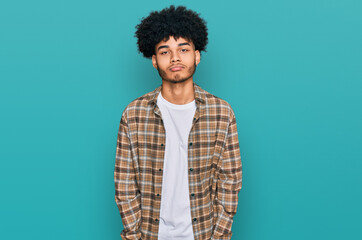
178,93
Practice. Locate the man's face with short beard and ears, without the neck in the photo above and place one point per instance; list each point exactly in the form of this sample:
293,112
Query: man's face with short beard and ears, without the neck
176,60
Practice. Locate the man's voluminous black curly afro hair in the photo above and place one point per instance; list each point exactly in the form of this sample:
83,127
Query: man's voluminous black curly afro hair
176,22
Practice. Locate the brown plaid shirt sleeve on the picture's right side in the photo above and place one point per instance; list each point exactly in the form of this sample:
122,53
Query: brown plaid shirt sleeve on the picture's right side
228,185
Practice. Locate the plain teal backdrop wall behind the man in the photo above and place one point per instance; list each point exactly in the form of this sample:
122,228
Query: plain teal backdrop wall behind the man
290,69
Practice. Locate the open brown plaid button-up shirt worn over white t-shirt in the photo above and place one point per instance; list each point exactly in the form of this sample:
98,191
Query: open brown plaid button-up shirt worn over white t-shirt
214,167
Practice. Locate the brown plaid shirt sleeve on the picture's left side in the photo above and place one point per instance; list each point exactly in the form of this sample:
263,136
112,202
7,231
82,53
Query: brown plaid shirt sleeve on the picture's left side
127,194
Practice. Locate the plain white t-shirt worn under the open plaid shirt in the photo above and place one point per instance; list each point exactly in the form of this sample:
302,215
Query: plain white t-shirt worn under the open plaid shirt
175,214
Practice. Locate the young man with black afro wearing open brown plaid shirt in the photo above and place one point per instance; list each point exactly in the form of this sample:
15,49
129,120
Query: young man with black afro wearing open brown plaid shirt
178,167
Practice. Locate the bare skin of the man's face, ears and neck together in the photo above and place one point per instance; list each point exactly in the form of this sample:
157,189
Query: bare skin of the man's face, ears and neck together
176,61
